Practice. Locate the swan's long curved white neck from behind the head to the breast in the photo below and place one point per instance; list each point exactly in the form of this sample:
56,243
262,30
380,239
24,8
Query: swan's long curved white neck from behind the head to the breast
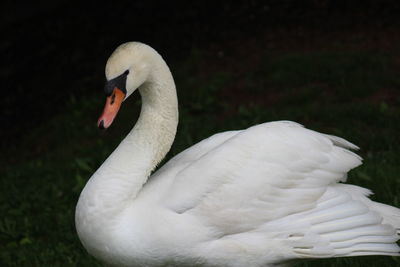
121,177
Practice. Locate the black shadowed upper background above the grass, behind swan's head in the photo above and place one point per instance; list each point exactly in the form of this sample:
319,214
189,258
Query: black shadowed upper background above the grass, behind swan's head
52,49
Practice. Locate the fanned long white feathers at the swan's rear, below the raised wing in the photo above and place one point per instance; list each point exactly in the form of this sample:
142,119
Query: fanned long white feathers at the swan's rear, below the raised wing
353,226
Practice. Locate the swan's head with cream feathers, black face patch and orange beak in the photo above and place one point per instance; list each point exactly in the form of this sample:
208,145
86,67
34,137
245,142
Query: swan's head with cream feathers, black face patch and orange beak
127,69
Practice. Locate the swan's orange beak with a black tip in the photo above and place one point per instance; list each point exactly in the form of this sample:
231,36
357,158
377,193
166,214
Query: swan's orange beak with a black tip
113,103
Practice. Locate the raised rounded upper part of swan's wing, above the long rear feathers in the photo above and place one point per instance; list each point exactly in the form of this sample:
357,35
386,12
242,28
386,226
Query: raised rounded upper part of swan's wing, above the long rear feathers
257,175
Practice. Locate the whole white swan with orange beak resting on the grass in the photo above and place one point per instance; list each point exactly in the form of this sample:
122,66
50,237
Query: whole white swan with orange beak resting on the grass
255,197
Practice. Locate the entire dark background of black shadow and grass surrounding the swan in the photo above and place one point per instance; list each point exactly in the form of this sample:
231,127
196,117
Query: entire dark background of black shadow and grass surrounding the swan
332,65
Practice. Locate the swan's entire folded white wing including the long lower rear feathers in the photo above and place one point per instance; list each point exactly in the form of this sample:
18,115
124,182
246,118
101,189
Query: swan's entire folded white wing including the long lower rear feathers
272,191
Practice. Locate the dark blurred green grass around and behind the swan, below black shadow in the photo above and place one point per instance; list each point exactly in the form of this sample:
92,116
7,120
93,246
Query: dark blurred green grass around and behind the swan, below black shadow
351,94
